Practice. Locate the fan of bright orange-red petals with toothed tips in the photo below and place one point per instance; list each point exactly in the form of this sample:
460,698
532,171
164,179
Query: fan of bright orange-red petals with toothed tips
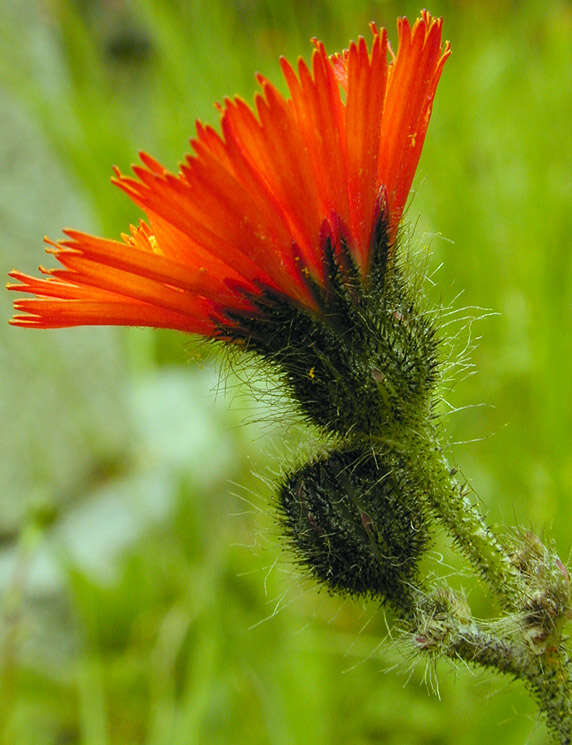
248,212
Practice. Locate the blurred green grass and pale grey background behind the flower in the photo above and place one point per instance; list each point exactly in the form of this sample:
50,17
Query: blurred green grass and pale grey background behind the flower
146,597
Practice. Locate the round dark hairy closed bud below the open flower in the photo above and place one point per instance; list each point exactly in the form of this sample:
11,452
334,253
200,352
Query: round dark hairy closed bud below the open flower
354,520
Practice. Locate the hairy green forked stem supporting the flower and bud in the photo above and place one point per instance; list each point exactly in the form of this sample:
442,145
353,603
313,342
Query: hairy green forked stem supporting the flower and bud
538,600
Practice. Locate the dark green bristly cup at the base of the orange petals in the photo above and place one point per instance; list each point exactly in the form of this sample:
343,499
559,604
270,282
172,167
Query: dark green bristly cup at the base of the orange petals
366,364
